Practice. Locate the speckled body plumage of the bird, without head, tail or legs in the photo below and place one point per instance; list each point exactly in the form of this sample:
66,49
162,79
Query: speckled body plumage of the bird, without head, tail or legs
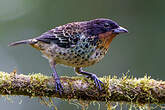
71,45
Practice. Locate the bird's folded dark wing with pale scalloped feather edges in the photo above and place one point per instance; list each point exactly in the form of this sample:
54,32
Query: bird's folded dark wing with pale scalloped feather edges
65,36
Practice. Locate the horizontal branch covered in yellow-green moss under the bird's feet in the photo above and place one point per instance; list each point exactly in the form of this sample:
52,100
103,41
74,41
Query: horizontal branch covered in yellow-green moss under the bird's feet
125,89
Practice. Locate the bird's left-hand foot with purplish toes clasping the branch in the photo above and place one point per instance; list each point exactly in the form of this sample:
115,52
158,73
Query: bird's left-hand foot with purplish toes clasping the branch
58,86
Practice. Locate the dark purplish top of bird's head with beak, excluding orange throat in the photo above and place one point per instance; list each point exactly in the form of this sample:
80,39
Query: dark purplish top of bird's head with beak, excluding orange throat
102,25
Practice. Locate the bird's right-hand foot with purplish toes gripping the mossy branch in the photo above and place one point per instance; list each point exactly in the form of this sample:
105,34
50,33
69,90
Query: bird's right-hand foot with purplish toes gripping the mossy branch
96,81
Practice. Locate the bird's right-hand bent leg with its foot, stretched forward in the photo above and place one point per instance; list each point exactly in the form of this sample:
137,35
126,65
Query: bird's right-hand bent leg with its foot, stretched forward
90,75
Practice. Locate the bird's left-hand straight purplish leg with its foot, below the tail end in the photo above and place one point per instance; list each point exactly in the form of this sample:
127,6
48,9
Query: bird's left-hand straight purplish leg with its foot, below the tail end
58,85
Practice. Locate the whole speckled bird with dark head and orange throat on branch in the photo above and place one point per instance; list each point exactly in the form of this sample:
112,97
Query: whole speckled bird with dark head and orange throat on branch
77,44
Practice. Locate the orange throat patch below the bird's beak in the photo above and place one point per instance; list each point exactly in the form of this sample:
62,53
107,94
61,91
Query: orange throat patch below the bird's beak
106,39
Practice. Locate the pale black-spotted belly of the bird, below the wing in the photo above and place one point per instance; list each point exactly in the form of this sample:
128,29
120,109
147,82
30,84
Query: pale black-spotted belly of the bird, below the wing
75,57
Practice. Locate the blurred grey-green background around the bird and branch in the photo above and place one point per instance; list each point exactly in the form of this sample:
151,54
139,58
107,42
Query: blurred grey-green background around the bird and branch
142,51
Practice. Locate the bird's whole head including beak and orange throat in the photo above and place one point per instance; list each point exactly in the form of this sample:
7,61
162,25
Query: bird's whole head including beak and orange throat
104,29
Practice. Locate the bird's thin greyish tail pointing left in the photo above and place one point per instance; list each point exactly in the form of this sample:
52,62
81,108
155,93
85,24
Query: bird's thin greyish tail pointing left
29,41
